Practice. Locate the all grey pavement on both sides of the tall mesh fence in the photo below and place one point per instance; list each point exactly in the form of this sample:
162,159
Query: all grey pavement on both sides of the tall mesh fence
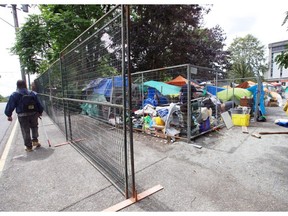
232,172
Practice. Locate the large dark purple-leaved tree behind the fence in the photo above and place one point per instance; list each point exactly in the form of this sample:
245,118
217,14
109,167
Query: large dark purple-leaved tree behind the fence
165,35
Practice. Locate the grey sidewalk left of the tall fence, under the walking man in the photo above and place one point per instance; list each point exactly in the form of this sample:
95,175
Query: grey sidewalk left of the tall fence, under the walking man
51,178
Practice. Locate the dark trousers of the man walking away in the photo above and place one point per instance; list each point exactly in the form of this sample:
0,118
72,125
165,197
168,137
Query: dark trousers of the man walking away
27,123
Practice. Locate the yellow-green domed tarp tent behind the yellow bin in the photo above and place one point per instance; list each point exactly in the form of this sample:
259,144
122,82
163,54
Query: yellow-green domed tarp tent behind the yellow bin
227,94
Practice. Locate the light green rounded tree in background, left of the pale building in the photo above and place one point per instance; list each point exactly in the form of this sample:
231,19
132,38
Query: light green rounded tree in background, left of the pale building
247,57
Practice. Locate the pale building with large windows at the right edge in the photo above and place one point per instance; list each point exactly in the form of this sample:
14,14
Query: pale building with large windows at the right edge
276,73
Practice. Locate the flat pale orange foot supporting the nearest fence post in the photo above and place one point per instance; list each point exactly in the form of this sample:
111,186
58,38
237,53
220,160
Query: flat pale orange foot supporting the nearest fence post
133,200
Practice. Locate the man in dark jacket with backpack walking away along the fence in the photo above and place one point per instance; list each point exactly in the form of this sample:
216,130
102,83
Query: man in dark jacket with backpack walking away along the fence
28,109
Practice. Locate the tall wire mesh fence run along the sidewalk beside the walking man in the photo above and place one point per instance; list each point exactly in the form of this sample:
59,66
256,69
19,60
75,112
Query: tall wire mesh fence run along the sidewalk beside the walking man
86,93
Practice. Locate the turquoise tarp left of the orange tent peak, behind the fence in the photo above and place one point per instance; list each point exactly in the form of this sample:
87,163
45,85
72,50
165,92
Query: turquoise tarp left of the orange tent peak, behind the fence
163,88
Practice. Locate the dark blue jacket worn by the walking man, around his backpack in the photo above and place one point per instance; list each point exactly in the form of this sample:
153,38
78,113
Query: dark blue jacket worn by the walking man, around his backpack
14,102
